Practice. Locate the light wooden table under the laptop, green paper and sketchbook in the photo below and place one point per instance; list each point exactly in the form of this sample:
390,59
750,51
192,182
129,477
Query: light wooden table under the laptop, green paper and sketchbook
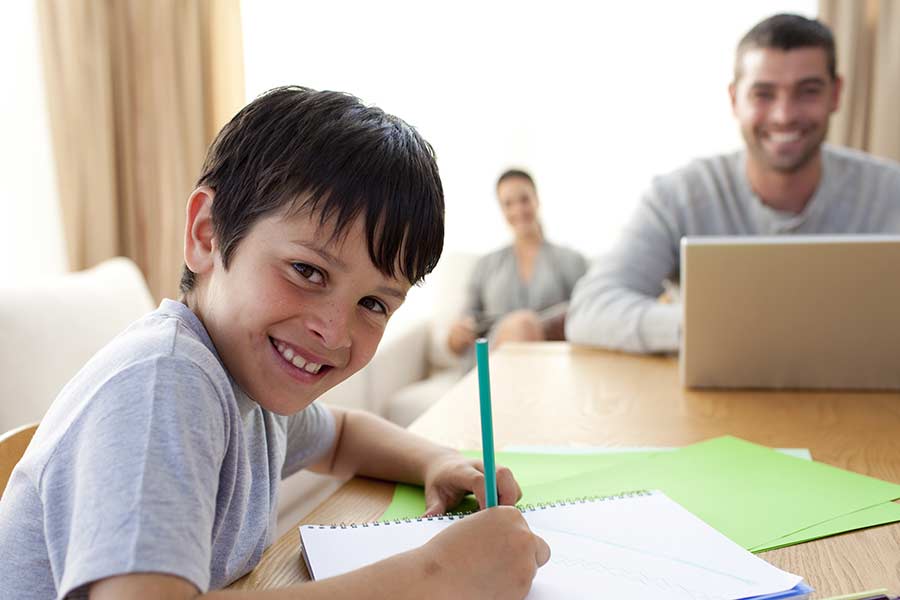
554,393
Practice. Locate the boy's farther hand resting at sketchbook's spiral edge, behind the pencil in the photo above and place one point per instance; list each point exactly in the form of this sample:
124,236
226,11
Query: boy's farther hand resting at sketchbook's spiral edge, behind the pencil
452,476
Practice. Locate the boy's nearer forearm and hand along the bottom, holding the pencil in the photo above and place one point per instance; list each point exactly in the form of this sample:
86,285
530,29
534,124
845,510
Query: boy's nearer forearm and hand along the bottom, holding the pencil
452,565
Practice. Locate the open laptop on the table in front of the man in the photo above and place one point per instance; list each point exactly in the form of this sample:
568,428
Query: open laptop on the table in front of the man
791,312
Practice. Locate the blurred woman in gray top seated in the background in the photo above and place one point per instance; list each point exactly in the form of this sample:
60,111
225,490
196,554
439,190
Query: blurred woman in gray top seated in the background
520,292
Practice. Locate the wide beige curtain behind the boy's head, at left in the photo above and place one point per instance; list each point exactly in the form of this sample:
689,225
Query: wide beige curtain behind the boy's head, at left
136,91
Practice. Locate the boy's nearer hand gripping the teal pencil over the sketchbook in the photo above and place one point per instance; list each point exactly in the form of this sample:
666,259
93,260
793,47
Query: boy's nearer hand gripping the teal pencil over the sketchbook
490,554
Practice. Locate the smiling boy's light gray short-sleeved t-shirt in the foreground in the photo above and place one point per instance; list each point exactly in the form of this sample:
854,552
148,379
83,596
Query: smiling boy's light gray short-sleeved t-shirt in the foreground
150,460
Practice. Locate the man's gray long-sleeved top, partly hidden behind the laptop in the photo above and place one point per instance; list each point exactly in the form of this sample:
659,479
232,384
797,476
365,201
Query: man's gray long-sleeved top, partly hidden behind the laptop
614,305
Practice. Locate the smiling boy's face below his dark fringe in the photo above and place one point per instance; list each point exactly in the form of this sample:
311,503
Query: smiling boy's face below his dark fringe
295,314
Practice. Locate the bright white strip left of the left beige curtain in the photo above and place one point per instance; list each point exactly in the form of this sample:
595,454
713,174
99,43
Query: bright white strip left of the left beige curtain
31,239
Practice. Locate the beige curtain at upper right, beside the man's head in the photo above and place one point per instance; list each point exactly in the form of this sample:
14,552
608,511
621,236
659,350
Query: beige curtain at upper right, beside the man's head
867,33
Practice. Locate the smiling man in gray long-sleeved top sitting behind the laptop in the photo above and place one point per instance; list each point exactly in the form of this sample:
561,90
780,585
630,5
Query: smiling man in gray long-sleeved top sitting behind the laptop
785,181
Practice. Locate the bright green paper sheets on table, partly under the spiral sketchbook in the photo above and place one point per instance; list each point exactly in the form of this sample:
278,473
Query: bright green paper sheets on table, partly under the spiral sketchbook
760,498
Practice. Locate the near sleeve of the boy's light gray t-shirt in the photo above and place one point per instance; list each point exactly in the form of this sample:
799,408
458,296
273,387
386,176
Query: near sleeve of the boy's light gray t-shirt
132,487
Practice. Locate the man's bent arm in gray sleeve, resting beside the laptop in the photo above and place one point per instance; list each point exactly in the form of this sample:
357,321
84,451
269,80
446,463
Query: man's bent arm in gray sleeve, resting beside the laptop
615,304
